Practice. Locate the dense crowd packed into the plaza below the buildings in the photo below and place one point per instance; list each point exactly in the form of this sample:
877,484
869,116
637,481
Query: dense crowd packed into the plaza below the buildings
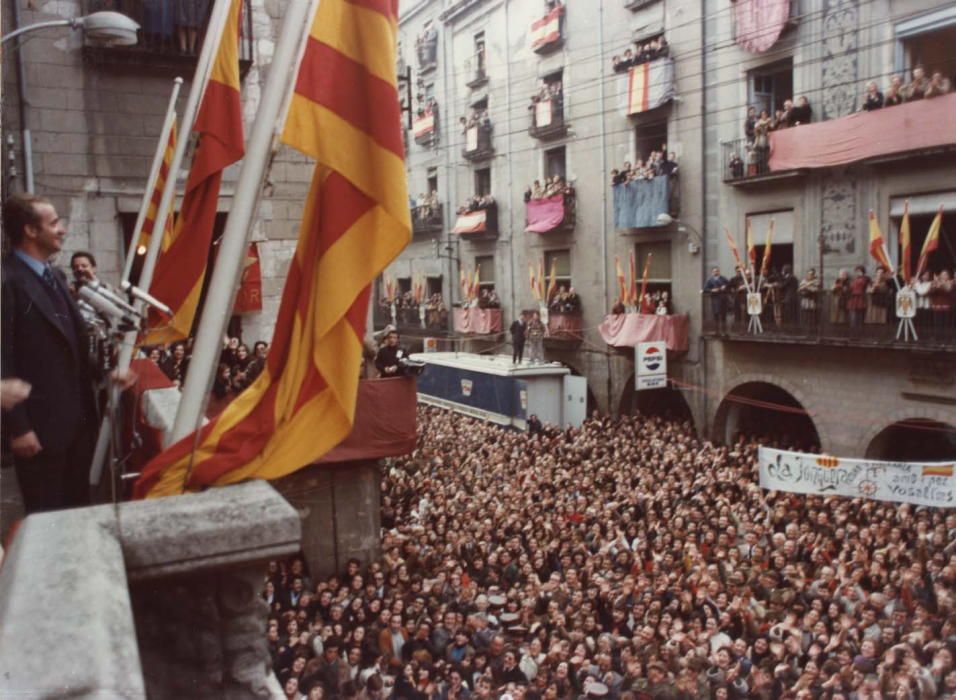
627,559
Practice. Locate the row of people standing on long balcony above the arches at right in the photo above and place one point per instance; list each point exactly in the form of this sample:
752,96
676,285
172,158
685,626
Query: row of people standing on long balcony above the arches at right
855,299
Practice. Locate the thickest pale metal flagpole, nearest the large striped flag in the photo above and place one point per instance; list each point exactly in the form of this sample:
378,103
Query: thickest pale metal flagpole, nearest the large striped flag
234,242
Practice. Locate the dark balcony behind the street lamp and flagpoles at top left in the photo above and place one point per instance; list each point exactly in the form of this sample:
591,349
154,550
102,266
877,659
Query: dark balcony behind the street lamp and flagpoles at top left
158,51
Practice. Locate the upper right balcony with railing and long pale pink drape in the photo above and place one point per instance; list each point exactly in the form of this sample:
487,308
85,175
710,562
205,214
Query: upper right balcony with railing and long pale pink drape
881,136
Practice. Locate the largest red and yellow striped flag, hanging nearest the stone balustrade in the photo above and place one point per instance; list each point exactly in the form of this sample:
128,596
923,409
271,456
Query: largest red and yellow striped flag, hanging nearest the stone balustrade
345,114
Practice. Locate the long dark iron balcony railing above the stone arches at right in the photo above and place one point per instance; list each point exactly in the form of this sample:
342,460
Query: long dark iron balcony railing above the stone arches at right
824,319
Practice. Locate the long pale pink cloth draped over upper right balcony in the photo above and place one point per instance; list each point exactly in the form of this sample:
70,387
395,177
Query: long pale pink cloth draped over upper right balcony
907,127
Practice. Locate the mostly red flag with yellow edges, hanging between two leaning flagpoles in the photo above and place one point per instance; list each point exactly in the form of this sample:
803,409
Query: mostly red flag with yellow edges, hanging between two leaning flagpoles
181,269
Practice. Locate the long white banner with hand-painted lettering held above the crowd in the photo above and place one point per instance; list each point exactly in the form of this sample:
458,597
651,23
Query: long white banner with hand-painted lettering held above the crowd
919,483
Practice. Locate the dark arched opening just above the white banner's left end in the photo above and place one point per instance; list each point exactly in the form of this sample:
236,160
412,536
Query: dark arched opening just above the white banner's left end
768,412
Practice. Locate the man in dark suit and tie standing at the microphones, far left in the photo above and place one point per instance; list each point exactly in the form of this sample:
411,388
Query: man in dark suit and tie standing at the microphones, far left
51,433
